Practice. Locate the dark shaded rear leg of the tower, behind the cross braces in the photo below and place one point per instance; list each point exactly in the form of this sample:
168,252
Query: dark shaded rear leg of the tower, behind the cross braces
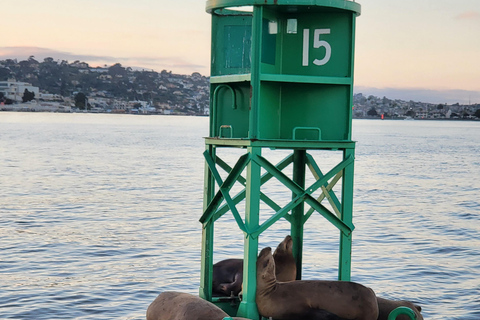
299,162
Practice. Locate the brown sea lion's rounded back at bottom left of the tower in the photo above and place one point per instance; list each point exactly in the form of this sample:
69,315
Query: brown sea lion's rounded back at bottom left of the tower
170,305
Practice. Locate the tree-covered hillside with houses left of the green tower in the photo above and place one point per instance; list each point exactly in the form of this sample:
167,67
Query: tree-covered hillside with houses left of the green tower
110,88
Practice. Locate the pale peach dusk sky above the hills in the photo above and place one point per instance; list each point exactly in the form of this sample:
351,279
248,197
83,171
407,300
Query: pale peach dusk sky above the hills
425,50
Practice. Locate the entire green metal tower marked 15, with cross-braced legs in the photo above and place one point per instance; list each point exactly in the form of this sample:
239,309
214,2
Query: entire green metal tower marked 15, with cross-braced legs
281,78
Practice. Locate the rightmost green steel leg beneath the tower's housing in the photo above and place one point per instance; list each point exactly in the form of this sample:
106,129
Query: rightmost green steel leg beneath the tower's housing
344,270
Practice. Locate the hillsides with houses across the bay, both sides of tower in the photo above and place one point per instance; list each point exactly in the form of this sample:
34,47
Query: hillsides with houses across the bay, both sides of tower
62,86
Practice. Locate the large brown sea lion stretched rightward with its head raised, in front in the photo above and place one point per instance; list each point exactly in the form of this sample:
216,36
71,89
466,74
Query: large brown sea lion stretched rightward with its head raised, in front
293,300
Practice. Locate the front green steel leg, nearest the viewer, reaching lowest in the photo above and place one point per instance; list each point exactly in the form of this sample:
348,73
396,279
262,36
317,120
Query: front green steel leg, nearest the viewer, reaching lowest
248,306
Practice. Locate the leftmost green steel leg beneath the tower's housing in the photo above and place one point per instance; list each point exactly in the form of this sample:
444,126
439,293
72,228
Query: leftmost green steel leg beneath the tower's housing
207,235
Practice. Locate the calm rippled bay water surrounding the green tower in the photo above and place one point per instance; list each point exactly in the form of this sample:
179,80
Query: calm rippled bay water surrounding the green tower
99,214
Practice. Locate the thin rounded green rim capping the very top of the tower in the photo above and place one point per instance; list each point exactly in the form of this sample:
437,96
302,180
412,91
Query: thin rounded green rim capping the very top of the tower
339,4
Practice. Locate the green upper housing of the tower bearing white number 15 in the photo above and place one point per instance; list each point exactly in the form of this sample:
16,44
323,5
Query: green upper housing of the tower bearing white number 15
283,69
